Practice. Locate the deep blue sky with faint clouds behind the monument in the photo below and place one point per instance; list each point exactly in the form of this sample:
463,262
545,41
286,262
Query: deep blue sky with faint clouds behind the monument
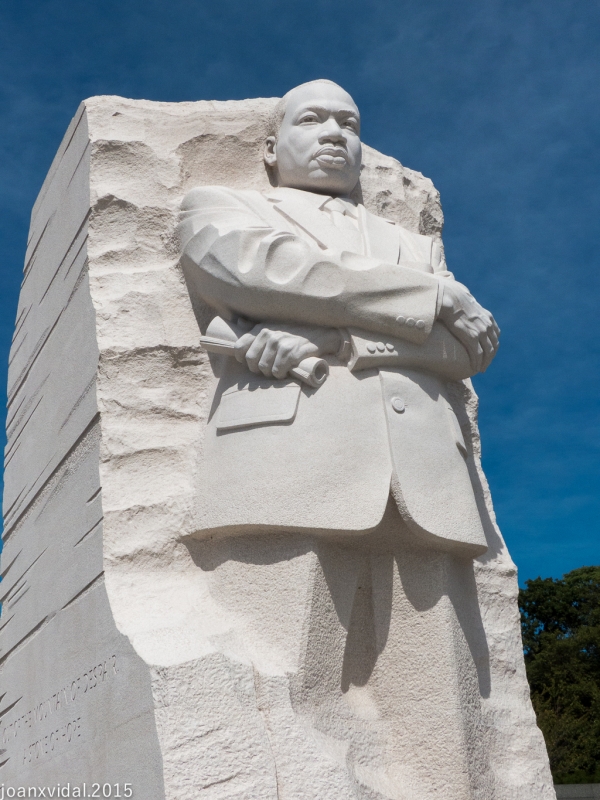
496,100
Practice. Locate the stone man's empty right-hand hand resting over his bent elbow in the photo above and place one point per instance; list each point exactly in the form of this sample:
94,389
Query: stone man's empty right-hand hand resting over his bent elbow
473,326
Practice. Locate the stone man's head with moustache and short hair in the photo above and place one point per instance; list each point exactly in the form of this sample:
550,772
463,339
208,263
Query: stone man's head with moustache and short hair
317,146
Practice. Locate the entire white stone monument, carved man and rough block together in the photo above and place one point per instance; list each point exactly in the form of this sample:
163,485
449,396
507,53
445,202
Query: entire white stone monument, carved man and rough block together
249,550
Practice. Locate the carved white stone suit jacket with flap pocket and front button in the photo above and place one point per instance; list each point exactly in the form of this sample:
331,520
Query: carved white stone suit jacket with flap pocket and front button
280,456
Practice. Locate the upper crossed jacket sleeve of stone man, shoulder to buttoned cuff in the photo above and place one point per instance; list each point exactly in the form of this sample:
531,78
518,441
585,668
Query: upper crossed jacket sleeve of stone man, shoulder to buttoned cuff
238,262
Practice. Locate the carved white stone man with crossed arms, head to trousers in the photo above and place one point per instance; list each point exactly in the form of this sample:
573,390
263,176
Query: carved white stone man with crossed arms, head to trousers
304,270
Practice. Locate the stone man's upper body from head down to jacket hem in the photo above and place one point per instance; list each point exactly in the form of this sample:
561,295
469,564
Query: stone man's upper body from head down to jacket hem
304,270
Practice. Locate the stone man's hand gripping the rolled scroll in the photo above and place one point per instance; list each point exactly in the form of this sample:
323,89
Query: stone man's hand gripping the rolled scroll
274,350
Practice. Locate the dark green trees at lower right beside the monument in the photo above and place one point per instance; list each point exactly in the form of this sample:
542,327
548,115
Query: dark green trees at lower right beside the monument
560,621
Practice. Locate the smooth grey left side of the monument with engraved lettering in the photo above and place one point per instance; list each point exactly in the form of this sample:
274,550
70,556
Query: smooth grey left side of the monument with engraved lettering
76,701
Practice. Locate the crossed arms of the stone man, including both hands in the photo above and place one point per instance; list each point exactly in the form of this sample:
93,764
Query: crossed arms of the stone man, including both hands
238,262
